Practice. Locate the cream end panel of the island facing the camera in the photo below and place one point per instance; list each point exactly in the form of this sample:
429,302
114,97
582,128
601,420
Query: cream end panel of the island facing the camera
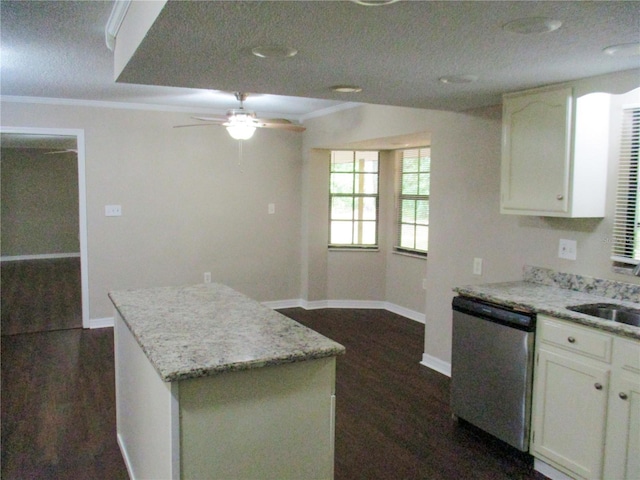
267,423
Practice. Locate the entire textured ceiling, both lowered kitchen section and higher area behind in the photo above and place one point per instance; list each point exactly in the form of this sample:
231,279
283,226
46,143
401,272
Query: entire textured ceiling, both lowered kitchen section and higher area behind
198,52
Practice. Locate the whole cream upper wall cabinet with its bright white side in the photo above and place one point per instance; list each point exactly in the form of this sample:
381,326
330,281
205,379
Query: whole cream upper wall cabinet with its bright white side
554,153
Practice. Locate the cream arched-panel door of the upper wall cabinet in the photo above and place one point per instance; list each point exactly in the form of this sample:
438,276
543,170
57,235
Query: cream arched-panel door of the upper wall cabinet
536,152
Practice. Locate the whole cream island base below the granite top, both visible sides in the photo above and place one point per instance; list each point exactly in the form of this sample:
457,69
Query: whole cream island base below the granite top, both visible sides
273,422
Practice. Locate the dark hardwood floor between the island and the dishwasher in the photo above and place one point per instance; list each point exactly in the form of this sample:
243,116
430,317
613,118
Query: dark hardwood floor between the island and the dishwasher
392,416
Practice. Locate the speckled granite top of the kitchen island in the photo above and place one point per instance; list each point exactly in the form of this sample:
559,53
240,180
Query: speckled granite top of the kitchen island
207,329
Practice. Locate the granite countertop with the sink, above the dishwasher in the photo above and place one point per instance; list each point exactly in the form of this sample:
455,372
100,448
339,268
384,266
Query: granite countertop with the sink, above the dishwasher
551,300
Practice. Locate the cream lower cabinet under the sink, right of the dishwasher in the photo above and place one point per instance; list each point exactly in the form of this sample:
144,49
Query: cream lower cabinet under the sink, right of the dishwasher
586,405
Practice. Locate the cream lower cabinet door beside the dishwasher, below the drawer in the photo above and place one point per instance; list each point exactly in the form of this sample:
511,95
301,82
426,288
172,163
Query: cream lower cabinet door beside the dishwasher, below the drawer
570,409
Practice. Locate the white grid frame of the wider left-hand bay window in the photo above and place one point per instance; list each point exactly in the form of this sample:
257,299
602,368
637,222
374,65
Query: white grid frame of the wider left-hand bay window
355,196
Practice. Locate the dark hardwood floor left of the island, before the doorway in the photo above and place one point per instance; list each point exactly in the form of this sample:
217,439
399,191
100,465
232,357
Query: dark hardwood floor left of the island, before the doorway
58,406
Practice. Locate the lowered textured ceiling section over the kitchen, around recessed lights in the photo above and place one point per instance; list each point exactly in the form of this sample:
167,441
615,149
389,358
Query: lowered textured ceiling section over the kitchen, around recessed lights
396,53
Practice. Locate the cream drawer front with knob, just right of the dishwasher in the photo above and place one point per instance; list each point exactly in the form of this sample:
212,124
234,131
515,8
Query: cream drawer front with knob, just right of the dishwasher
576,339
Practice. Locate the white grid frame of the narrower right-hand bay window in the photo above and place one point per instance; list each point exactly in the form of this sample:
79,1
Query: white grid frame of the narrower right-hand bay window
400,197
